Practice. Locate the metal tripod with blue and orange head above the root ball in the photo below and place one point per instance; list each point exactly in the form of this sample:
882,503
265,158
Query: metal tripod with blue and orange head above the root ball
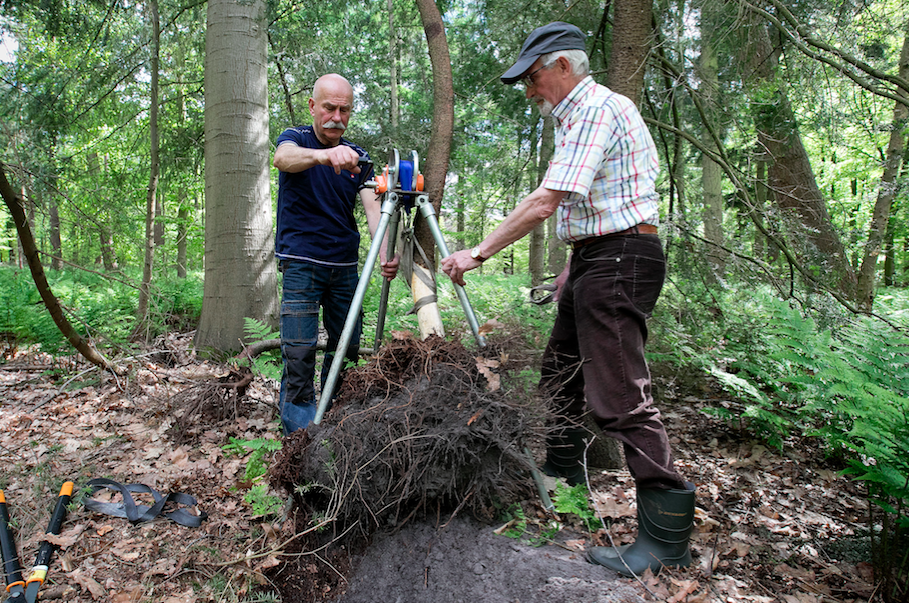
401,185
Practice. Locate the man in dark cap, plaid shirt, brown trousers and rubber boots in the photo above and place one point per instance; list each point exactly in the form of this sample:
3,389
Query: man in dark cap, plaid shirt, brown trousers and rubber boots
601,180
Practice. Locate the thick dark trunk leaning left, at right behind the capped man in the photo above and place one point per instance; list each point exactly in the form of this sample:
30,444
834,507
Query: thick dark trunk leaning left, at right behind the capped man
790,178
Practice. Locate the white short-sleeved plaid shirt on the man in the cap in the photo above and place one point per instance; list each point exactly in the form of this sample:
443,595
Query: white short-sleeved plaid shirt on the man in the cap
605,161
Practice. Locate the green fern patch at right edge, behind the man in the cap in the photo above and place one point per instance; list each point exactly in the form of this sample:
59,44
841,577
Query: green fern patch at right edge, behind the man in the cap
801,370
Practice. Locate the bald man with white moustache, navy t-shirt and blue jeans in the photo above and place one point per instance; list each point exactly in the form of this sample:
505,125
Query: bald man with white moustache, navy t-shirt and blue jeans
317,241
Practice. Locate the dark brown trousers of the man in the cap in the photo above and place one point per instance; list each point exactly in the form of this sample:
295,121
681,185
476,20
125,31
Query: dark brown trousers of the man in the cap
595,353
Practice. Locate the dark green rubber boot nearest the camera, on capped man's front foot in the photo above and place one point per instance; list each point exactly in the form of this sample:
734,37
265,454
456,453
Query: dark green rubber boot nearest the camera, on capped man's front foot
665,521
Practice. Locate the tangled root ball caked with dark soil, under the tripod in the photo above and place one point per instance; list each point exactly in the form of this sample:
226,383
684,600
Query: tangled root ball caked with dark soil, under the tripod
418,429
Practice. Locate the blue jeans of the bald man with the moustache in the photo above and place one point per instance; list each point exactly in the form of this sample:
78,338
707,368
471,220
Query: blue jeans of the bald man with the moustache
308,287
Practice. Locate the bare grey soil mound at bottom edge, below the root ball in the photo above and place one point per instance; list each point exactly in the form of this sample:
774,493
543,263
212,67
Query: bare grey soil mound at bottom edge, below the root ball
464,561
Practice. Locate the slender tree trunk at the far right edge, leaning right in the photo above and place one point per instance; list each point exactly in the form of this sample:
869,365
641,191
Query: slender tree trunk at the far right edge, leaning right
886,193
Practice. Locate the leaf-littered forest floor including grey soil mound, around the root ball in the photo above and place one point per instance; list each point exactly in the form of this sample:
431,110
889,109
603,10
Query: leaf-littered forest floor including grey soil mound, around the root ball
770,525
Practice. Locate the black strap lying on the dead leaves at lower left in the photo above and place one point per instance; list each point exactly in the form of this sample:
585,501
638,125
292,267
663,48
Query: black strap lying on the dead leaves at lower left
128,508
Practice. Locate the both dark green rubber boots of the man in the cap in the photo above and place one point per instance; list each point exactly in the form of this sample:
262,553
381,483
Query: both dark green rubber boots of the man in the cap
665,517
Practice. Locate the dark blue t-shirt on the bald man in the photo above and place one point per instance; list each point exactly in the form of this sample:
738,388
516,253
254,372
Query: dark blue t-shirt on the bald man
316,207
